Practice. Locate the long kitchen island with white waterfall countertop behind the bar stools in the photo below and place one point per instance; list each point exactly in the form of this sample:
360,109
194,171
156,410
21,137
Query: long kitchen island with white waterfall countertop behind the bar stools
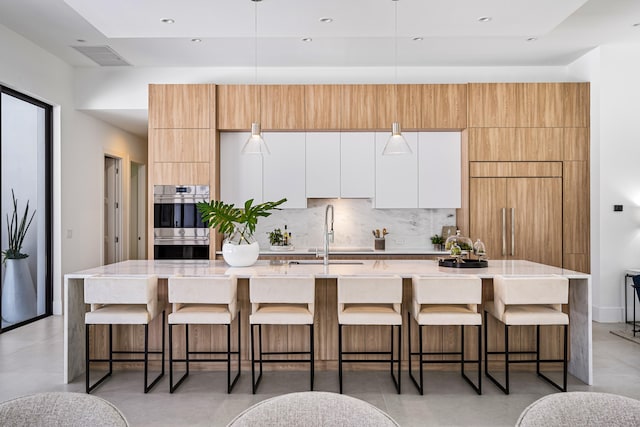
580,364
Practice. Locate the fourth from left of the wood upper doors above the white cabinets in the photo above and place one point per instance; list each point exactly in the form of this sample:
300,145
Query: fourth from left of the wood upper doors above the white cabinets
359,108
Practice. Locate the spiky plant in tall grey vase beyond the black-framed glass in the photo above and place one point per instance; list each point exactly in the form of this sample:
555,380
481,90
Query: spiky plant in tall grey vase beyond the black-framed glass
18,290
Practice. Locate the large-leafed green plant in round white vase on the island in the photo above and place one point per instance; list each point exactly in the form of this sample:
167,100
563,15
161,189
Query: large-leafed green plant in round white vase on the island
239,248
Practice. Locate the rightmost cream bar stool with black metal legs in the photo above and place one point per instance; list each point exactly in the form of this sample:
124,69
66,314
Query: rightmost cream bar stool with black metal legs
520,300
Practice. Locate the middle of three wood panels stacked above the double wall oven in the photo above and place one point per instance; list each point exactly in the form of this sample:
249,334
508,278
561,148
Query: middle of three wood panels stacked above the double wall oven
181,145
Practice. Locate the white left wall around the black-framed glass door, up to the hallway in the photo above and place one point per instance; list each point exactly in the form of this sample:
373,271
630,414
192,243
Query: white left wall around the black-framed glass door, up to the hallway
80,143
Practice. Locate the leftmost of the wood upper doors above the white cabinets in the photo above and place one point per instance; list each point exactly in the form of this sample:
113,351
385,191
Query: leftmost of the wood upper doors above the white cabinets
238,106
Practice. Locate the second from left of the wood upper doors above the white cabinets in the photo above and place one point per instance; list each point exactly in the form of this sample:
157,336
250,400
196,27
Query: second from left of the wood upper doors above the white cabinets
282,107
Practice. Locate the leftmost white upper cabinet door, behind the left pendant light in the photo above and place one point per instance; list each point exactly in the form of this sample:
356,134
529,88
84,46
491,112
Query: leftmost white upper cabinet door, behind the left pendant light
240,174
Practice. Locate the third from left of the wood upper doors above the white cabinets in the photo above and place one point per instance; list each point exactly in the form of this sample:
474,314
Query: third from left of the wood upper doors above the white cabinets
323,107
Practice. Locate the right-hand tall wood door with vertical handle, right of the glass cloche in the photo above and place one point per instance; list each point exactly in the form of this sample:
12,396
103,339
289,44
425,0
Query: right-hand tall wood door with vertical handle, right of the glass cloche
536,212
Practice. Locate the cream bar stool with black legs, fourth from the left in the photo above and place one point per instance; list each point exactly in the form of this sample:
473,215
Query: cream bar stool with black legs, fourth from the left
370,300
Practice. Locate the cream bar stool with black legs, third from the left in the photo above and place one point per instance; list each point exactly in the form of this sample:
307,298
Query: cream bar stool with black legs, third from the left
281,300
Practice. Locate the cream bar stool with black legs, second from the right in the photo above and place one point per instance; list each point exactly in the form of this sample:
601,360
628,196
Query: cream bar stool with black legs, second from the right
442,301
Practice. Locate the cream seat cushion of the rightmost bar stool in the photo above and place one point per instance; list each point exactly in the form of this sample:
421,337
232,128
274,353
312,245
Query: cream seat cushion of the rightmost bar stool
537,314
